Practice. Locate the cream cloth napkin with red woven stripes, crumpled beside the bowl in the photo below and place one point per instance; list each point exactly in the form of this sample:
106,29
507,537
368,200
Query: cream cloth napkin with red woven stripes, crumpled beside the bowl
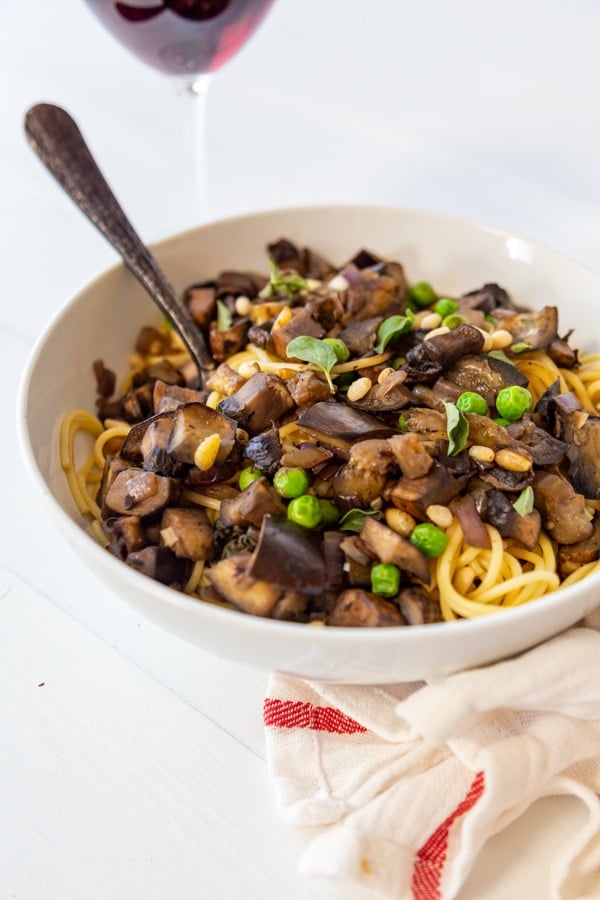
398,787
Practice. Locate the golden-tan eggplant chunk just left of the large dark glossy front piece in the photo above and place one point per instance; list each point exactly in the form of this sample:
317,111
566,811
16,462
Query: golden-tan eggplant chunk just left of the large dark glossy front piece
231,580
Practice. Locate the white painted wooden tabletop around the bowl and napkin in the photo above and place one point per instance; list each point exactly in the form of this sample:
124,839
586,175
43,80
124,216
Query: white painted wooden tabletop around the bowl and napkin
131,764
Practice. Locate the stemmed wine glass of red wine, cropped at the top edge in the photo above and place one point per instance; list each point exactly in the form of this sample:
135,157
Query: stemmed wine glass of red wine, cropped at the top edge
188,40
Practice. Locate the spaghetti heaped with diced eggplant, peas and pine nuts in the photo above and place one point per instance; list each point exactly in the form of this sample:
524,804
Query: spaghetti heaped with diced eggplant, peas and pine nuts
366,452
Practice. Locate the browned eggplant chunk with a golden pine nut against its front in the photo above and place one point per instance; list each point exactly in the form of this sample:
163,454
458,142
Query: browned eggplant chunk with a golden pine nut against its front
192,423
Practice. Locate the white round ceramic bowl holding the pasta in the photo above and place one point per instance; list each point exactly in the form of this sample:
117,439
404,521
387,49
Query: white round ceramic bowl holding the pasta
102,321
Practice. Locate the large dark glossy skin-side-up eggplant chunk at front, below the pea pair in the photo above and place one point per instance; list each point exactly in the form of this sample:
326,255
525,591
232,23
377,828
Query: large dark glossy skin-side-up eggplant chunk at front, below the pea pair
289,557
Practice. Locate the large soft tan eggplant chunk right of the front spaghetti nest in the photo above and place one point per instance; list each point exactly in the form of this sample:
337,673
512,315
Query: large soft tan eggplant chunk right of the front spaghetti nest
563,510
